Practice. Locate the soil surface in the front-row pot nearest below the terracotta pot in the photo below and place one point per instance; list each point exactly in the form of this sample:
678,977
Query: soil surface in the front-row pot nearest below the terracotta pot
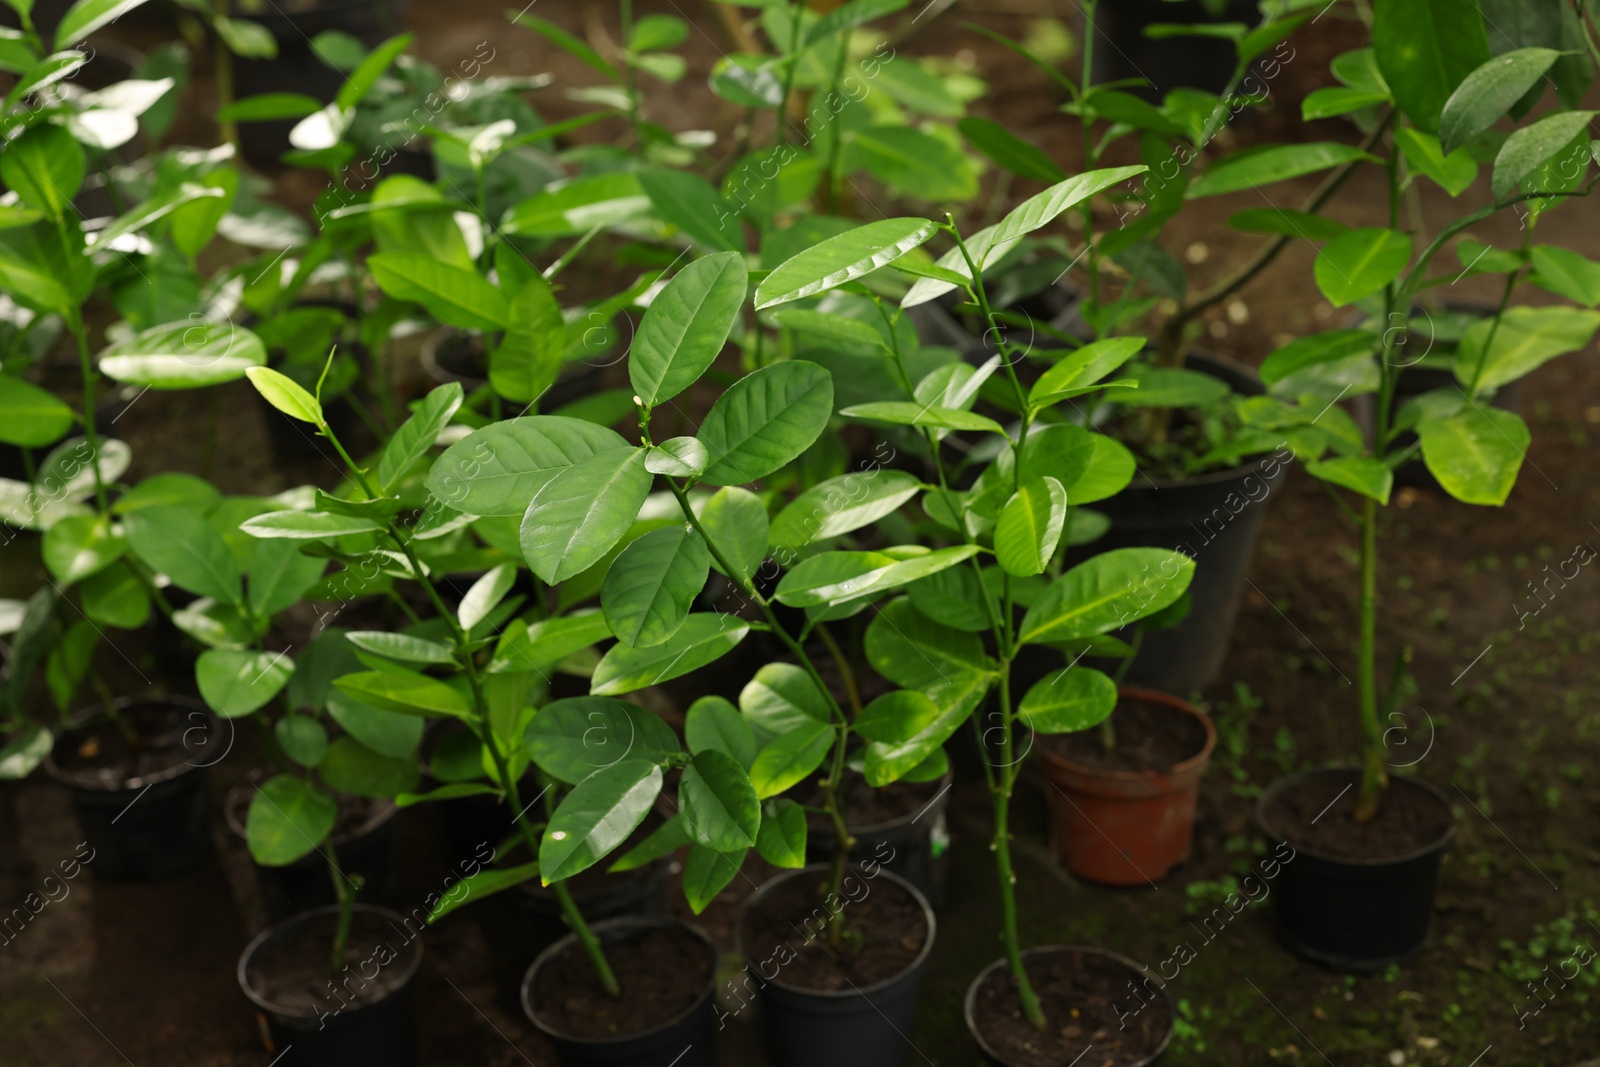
1081,994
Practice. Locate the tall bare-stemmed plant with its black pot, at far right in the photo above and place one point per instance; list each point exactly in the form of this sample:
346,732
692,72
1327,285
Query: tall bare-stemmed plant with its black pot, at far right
1369,845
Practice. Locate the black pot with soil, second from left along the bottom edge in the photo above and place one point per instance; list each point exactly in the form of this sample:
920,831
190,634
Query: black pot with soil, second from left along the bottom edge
666,972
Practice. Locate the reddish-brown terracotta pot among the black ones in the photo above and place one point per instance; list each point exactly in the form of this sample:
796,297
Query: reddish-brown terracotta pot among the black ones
1126,828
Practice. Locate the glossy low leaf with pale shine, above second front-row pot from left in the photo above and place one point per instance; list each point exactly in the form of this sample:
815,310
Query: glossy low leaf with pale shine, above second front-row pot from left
596,817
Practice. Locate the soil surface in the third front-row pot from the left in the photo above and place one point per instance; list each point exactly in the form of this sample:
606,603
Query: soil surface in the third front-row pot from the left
884,916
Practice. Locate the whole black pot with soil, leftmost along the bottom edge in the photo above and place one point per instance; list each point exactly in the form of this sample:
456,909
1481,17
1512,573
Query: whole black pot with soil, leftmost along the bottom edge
319,1018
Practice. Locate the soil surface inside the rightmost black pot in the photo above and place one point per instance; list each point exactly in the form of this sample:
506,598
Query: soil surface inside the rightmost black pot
1409,818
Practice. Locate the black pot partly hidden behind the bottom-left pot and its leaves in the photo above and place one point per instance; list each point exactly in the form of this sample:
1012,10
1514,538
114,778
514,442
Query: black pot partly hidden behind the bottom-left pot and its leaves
306,884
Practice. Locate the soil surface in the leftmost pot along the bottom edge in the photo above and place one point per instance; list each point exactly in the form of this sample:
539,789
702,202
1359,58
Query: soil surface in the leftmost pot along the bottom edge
292,972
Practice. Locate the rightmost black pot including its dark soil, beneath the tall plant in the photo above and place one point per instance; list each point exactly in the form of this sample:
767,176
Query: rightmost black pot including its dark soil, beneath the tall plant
1356,897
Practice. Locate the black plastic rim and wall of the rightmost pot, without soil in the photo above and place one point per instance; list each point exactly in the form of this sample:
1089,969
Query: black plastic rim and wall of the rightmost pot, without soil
1351,914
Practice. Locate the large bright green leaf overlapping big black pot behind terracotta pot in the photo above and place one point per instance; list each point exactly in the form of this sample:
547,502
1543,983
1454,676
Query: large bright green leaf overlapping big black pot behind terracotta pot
1108,593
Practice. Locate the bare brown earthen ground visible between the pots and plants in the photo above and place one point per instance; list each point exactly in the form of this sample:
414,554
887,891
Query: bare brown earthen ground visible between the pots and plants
1505,719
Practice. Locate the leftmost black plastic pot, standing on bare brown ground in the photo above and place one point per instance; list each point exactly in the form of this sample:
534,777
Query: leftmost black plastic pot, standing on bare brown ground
154,825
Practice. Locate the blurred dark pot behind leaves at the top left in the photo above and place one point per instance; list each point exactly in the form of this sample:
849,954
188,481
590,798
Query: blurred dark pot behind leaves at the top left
297,68
